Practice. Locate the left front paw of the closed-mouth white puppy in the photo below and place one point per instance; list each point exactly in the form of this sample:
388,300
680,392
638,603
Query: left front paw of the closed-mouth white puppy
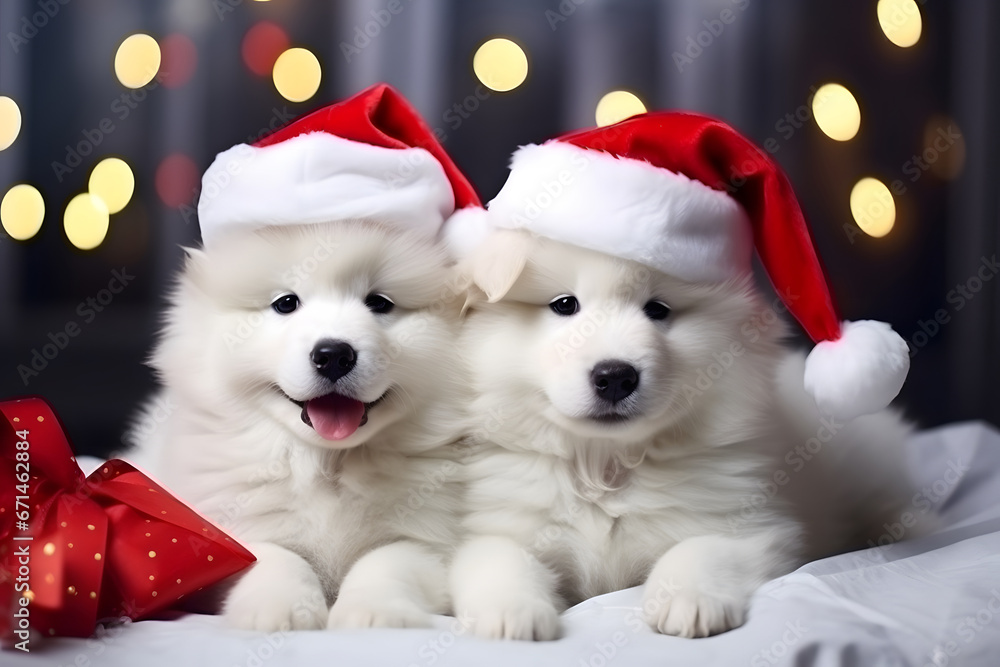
525,619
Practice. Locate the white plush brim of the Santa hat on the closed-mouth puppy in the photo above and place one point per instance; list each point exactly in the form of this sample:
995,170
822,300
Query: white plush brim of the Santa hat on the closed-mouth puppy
627,208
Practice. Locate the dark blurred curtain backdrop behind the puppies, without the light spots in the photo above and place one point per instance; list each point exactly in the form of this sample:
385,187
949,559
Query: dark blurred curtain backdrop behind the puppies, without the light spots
760,68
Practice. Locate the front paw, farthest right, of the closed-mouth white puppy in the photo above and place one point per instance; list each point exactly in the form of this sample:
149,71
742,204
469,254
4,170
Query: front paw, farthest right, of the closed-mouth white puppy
691,613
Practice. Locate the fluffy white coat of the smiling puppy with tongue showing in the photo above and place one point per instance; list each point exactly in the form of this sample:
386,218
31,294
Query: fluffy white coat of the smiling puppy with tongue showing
365,521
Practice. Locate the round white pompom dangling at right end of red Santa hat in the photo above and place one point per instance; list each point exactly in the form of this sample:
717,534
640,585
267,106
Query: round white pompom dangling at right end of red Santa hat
861,372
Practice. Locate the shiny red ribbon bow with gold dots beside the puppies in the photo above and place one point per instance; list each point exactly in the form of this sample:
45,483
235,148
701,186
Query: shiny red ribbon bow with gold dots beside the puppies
75,549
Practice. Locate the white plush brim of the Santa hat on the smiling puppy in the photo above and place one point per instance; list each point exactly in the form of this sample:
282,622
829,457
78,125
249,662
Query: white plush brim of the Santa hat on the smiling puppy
319,177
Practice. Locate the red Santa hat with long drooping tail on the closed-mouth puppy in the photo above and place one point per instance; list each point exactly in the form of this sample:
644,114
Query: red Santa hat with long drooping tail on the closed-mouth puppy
689,196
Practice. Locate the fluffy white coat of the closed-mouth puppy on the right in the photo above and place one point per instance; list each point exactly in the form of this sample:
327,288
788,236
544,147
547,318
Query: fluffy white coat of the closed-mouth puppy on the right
681,494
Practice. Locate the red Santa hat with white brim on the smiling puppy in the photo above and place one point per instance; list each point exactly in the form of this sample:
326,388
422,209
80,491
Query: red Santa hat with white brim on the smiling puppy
370,156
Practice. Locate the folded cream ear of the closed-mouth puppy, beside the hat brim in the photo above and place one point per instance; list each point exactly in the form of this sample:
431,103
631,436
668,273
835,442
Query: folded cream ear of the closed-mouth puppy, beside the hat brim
495,266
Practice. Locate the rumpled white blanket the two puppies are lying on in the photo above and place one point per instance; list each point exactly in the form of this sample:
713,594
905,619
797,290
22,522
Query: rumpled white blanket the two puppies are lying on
933,601
